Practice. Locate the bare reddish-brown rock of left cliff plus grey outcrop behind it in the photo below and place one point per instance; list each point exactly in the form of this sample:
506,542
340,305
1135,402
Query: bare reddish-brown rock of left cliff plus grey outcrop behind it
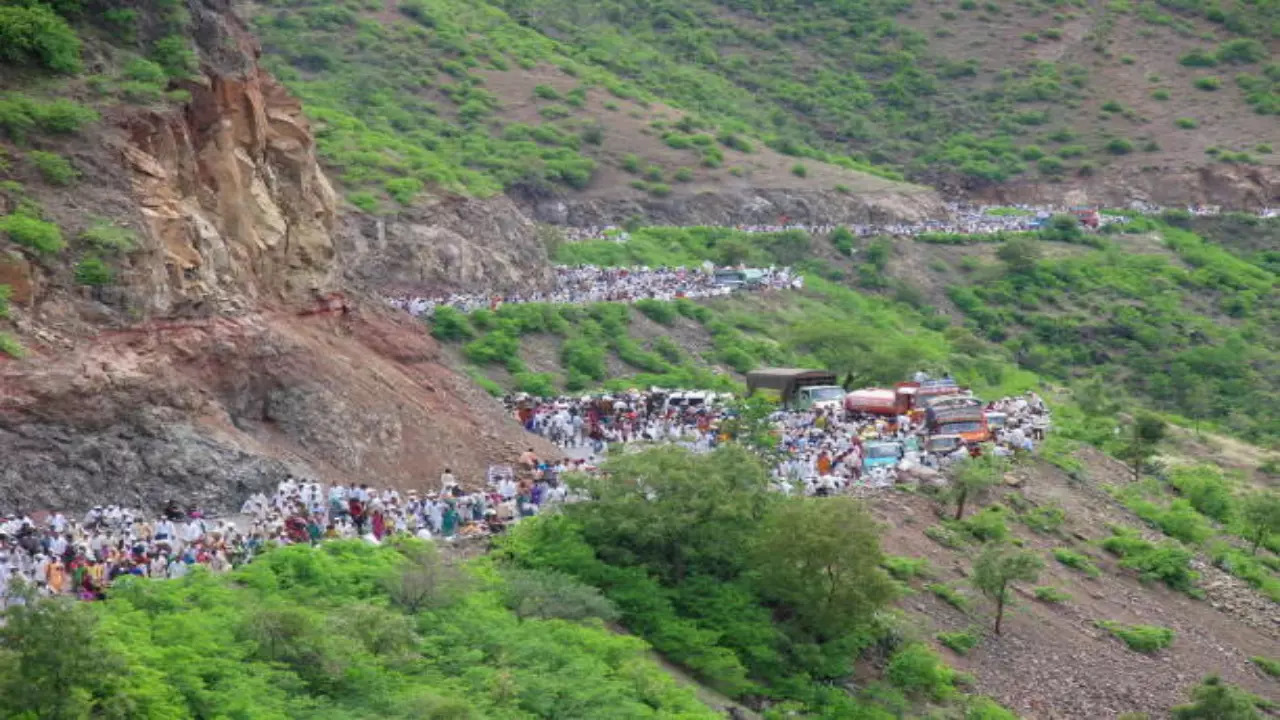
236,349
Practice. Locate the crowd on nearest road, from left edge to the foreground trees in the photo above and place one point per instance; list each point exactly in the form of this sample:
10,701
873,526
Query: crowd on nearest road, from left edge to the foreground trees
56,555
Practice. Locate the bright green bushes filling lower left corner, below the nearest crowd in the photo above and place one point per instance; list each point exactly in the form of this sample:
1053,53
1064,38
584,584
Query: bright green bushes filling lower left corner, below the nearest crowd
342,631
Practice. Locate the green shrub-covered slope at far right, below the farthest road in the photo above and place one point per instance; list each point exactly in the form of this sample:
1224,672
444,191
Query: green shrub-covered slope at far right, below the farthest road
1122,326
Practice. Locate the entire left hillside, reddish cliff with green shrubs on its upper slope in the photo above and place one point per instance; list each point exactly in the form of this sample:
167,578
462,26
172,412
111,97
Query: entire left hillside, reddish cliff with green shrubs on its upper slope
171,274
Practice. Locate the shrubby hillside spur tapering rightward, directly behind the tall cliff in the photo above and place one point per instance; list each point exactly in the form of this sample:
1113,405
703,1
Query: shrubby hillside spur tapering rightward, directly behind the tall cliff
427,97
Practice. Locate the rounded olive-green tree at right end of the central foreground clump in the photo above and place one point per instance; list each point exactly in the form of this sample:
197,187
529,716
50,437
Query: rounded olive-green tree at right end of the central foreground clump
821,559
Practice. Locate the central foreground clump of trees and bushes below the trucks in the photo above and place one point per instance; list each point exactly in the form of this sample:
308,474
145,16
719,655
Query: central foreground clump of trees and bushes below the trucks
707,593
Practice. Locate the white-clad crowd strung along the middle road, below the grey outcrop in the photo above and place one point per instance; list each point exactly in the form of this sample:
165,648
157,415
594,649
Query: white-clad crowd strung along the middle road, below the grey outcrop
580,285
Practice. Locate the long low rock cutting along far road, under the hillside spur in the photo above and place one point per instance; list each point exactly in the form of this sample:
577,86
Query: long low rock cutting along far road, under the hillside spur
740,207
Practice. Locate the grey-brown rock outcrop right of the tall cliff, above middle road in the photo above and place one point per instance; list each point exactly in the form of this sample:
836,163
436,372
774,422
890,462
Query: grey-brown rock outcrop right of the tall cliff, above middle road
452,244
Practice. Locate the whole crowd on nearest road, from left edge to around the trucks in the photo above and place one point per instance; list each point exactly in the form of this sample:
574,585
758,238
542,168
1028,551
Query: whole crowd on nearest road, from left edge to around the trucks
817,453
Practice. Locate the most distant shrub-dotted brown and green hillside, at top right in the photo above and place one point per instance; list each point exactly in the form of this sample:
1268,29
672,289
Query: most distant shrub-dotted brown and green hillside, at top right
966,94
